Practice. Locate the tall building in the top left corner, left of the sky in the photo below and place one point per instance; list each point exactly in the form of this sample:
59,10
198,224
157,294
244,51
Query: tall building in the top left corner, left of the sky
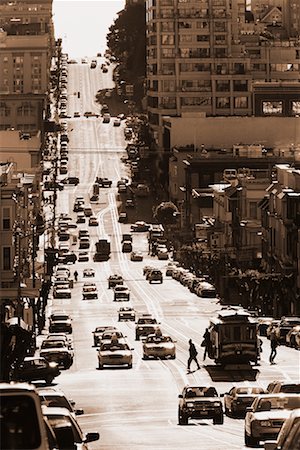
26,47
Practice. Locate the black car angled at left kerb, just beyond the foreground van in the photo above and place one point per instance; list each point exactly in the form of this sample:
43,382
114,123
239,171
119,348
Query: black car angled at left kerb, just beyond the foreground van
33,369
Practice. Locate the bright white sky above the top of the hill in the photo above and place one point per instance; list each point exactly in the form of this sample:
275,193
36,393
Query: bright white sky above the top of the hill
83,24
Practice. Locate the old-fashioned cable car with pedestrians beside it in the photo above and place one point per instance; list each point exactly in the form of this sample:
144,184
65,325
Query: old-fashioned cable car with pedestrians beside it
233,337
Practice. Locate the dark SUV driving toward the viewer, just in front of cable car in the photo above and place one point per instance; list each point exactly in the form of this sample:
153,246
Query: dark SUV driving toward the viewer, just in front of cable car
200,402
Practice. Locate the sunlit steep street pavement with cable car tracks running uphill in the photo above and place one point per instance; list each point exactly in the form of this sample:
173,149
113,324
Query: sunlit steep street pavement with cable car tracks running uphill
136,409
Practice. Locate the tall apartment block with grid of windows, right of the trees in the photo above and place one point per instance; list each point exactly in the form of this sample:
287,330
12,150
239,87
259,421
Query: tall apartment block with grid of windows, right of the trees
203,57
